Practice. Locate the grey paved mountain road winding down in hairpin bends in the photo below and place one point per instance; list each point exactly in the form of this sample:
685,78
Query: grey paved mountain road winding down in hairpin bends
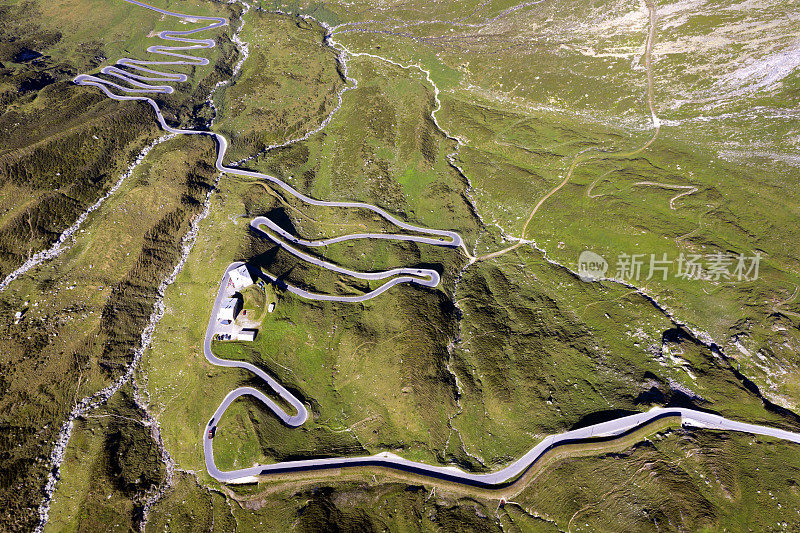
140,84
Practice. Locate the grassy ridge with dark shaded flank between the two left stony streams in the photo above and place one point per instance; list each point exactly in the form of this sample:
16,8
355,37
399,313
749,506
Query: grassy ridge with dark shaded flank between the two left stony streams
85,311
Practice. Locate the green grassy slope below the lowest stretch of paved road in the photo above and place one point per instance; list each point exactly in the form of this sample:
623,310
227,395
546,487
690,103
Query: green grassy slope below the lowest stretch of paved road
675,480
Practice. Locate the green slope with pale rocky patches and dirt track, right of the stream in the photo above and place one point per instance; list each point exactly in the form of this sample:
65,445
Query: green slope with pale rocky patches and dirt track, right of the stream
532,89
